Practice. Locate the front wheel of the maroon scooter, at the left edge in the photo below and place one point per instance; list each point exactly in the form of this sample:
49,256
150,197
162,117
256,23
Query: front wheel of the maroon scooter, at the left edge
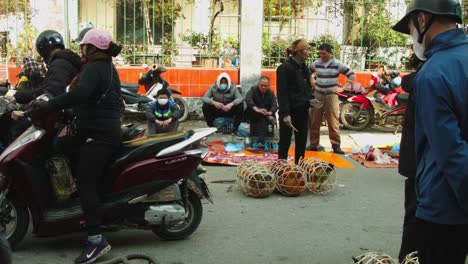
15,220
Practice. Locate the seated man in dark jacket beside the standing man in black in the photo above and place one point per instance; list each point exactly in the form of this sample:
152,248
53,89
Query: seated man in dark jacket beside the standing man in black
261,102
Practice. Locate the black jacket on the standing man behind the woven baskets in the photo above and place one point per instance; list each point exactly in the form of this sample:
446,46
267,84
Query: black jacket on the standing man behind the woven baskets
294,87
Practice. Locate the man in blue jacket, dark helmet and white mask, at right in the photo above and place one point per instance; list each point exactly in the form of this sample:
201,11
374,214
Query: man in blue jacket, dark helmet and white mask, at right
441,129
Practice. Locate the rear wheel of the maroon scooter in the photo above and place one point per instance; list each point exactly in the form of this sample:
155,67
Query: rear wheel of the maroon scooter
193,218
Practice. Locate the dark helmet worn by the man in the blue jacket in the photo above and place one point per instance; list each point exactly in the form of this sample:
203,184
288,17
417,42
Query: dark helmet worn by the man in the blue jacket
437,7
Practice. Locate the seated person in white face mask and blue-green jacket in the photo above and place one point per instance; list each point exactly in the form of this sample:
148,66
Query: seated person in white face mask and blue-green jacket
163,114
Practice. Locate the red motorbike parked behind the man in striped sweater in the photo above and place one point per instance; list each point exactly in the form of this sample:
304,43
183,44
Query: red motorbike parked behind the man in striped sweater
378,106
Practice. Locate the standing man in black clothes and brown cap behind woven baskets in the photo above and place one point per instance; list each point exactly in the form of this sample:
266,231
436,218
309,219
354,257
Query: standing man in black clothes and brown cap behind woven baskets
294,92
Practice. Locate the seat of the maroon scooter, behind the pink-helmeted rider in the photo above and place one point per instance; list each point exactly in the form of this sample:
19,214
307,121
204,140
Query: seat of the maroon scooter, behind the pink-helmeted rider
146,147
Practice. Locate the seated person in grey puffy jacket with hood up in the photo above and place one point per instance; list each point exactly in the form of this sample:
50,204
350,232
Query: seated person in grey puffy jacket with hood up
223,99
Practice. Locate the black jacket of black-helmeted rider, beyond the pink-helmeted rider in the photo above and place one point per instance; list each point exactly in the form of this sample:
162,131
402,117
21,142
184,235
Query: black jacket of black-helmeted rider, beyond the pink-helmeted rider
63,66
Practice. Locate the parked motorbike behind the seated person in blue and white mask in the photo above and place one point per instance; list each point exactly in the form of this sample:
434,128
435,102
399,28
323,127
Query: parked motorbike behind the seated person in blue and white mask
135,104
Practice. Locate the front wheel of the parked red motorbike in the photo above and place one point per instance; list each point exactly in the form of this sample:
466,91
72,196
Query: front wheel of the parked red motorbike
350,119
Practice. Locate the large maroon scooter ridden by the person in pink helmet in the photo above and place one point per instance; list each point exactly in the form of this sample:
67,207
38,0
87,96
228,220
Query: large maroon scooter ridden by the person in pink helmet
153,184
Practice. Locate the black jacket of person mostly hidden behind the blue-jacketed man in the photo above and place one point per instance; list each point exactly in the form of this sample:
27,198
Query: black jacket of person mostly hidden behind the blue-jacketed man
407,157
